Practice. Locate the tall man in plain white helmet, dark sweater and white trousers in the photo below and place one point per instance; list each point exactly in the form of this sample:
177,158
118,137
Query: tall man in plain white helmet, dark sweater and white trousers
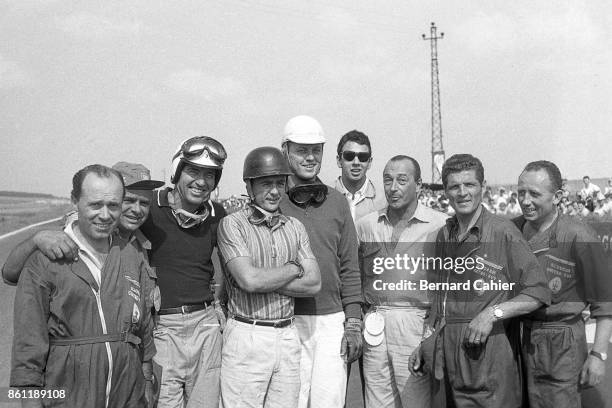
329,324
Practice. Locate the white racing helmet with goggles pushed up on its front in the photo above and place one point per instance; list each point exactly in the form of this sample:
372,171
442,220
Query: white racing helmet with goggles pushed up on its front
200,151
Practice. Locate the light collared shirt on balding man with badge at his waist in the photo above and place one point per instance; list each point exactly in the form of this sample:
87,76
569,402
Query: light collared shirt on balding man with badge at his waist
415,244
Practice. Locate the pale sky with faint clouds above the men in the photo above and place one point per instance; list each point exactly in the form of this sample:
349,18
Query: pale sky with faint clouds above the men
99,82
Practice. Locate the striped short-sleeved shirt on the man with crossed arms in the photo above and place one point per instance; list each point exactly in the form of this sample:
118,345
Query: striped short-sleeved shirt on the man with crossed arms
268,247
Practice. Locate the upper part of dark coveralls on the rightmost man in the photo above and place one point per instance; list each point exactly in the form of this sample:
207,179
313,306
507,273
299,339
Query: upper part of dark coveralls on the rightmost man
576,268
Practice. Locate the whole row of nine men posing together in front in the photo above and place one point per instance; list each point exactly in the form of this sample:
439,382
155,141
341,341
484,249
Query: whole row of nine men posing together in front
121,308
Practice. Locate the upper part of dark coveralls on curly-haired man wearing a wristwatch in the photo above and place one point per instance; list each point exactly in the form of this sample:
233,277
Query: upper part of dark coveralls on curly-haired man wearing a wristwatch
492,252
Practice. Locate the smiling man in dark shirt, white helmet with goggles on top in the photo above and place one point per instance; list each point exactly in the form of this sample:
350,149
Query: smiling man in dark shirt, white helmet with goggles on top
182,229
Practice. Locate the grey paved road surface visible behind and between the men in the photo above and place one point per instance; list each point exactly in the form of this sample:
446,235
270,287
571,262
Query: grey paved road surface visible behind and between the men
601,397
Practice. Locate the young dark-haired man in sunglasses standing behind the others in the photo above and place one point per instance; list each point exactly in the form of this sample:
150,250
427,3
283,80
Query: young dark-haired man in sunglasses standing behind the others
355,158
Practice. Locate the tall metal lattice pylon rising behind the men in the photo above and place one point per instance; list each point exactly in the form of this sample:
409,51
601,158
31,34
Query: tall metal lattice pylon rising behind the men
437,149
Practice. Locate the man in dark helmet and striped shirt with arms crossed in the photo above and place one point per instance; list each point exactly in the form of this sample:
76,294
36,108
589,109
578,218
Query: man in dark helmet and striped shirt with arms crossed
267,261
